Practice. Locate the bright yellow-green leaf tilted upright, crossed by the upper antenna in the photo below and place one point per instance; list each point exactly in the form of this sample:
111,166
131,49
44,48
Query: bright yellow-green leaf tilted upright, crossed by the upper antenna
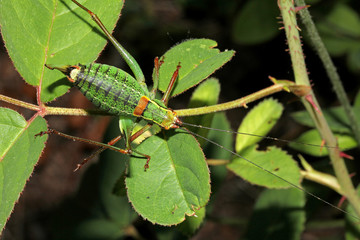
258,121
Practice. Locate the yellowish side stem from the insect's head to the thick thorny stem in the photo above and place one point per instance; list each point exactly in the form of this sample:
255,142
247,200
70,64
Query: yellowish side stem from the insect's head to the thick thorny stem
241,102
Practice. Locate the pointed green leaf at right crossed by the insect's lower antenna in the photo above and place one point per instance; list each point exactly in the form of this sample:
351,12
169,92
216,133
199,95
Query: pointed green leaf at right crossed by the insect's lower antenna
273,160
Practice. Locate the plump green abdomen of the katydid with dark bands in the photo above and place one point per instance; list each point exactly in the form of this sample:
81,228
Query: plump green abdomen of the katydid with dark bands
109,88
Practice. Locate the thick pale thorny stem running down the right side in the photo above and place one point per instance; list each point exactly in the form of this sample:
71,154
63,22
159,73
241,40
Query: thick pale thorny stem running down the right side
301,77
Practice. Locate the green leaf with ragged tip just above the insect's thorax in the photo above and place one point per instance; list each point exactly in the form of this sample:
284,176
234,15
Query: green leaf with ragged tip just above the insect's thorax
198,59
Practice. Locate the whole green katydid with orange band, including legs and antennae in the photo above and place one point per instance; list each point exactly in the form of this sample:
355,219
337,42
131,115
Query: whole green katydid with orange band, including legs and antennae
112,91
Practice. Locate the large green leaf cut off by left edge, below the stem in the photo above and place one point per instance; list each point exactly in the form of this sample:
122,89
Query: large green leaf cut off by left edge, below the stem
20,151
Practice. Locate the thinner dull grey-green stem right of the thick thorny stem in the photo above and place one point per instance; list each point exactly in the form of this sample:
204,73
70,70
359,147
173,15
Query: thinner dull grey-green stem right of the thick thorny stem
333,75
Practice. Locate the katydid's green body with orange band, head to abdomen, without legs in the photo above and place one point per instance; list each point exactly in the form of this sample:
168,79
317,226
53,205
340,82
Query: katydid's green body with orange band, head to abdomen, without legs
113,90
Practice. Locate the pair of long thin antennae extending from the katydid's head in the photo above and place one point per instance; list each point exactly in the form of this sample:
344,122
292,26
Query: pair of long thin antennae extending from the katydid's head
260,167
